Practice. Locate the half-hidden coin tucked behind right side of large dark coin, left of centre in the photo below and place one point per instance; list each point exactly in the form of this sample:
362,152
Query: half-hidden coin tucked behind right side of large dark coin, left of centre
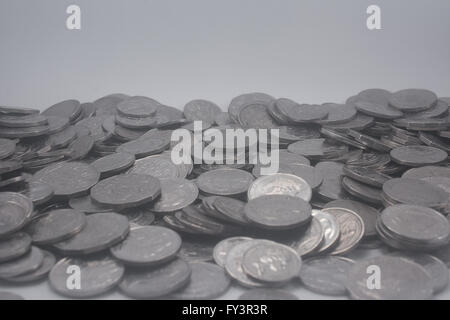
175,195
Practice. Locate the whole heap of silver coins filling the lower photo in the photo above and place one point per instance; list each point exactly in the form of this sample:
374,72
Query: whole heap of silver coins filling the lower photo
93,186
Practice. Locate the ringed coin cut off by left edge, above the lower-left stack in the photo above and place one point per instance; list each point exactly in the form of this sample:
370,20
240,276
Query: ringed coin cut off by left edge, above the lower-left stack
15,210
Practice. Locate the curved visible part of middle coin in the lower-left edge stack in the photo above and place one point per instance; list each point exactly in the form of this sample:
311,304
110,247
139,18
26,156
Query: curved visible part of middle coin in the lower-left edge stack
27,263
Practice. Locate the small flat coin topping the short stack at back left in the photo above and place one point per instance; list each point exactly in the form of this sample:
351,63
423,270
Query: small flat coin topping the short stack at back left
137,107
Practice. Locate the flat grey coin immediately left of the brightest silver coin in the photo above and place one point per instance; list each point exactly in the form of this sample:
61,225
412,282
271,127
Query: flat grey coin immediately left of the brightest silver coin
224,182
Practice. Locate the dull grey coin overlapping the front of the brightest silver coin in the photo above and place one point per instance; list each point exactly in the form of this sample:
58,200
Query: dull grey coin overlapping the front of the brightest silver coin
278,212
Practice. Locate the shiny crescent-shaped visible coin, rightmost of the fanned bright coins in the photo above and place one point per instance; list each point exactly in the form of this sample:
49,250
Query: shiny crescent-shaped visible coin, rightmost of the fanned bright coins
351,227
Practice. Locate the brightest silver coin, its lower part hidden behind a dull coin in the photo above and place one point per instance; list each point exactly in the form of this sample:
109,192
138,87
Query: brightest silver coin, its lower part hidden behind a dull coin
281,184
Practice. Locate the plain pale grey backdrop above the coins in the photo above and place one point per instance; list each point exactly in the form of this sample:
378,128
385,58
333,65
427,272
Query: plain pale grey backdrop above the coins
175,51
